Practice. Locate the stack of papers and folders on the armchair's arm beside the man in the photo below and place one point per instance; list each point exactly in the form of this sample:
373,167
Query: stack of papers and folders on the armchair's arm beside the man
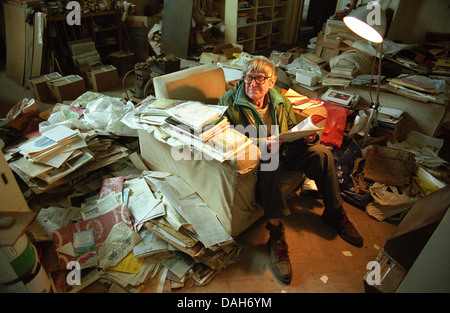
203,128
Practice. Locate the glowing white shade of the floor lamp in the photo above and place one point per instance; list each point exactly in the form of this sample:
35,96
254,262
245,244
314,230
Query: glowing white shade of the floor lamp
368,21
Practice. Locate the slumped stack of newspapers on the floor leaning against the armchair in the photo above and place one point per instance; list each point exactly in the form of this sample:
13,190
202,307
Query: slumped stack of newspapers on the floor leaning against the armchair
179,233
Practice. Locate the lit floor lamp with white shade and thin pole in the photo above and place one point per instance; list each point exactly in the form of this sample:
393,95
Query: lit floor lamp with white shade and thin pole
369,22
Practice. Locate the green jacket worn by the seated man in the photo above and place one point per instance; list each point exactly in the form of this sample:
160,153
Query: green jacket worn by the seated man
241,110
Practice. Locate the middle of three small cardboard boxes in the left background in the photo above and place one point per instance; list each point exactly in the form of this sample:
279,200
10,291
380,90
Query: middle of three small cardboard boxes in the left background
66,88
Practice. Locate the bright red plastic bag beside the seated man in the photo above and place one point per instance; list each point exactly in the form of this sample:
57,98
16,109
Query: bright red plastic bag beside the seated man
333,132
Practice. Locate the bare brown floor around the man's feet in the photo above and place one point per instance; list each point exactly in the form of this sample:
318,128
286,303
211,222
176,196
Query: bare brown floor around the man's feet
315,252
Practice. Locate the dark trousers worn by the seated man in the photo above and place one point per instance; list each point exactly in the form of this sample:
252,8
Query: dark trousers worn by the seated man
317,162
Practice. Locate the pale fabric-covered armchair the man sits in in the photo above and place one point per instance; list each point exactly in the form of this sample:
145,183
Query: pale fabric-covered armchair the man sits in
228,187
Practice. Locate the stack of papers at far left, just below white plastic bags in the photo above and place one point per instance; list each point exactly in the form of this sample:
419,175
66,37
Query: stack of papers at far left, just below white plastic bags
59,155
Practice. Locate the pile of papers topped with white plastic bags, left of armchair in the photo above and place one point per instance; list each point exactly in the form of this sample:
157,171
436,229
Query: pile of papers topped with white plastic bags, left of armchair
67,145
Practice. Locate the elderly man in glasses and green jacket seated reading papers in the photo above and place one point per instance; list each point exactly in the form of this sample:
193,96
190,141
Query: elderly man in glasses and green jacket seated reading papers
255,103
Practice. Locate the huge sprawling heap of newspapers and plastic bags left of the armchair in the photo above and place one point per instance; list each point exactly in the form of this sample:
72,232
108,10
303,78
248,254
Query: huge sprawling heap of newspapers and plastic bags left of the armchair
102,209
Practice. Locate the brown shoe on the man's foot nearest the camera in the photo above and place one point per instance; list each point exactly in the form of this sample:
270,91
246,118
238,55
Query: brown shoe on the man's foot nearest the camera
279,264
